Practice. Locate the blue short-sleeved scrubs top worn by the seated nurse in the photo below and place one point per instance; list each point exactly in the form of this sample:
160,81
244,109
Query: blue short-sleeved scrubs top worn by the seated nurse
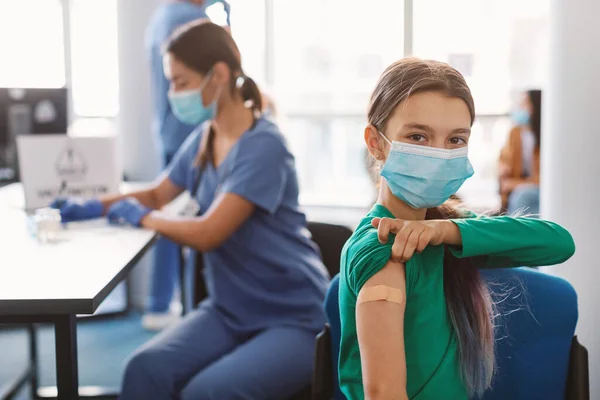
269,272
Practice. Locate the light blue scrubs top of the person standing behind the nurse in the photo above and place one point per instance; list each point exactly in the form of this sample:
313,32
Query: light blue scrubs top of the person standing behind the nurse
170,132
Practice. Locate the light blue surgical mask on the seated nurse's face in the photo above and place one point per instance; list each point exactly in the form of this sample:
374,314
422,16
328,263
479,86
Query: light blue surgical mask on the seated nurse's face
187,105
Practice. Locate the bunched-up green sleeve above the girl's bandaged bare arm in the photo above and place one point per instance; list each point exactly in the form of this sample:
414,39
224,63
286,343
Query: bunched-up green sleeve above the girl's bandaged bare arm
365,256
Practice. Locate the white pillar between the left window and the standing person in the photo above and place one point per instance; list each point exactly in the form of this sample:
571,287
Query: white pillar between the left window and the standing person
140,158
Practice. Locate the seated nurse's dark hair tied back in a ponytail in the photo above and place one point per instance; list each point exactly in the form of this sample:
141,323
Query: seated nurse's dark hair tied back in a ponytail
200,45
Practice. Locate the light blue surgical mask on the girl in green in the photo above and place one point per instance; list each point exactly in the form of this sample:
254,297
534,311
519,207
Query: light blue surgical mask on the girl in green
425,177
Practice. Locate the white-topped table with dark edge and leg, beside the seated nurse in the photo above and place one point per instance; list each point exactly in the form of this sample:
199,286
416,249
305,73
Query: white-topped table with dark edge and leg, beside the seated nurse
53,282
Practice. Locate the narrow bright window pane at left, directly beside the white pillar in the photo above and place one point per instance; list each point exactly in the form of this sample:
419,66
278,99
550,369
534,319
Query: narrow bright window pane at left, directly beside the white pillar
95,75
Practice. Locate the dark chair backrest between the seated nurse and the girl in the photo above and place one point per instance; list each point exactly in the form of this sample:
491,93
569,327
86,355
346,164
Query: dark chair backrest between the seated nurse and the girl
330,239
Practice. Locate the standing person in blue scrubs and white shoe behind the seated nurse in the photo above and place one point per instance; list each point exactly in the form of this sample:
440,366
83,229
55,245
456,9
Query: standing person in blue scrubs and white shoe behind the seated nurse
171,133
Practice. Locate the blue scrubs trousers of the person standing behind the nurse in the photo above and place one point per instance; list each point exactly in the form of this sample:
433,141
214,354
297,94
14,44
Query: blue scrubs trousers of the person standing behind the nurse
166,264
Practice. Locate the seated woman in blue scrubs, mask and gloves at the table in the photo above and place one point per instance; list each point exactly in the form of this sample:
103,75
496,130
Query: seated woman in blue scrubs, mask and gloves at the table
253,338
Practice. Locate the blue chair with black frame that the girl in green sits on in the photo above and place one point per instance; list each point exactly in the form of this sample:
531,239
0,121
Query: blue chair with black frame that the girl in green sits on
537,355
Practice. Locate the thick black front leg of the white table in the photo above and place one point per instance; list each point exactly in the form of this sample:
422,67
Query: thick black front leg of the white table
65,330
